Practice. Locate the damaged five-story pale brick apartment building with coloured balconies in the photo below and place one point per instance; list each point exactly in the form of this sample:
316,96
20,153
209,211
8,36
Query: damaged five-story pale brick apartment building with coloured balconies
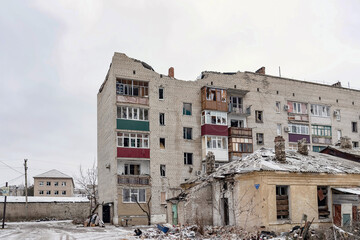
155,131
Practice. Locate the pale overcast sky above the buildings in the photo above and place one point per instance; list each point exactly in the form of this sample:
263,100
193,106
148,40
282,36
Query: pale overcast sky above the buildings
54,56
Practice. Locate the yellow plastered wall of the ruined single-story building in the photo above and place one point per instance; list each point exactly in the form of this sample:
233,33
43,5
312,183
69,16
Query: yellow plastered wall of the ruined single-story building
257,208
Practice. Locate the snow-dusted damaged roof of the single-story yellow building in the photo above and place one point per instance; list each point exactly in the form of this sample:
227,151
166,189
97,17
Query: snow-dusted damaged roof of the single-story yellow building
264,160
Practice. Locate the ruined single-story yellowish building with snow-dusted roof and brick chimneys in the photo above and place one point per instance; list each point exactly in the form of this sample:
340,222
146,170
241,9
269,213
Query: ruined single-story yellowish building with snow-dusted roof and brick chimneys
273,190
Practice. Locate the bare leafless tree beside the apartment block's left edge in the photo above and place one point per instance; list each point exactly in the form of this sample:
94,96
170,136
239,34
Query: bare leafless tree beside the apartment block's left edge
88,181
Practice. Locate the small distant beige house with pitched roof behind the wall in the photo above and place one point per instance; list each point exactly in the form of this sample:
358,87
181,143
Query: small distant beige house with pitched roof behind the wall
53,183
